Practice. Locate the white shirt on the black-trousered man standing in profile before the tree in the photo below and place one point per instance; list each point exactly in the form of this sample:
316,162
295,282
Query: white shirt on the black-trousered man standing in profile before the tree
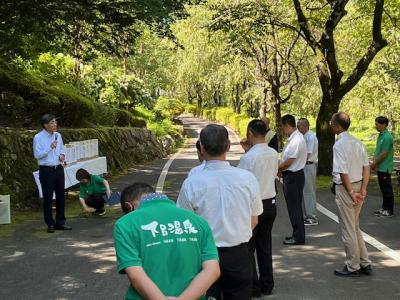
295,148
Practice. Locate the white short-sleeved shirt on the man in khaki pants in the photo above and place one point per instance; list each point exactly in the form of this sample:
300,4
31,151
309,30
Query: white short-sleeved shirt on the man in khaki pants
349,157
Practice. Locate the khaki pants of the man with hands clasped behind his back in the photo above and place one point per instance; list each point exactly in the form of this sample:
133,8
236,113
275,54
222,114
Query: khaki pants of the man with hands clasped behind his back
354,245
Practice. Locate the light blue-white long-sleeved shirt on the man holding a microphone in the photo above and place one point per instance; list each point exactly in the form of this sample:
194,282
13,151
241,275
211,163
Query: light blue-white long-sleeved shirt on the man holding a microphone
42,148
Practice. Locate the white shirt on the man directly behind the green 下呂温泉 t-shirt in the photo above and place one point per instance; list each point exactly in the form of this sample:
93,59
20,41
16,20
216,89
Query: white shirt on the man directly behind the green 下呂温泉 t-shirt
227,197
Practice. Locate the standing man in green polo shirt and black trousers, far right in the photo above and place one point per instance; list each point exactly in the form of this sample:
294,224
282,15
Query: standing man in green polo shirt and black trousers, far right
383,164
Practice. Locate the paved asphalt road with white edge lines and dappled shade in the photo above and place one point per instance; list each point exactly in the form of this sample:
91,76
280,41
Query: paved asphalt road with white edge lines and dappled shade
81,264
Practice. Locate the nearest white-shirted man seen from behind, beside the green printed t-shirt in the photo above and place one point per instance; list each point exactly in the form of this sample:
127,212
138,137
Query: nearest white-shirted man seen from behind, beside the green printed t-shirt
229,199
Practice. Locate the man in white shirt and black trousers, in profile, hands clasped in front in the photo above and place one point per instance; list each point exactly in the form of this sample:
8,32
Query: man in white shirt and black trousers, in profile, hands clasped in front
294,158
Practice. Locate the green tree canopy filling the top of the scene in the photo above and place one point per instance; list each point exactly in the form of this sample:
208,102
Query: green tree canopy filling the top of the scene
259,57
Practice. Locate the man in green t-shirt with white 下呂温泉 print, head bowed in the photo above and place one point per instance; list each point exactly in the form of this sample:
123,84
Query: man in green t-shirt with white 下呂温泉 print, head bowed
167,252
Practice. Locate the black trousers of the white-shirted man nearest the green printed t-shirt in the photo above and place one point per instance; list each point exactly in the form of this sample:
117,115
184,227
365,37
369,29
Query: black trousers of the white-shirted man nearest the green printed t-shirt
235,280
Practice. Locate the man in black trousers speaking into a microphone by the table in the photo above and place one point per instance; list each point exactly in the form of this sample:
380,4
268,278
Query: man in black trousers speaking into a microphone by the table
48,149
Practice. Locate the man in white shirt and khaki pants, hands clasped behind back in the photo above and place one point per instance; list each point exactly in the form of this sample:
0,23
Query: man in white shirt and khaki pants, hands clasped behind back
351,173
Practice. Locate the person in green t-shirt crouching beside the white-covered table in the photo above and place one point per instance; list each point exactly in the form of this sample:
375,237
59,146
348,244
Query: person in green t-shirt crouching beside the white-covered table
93,189
